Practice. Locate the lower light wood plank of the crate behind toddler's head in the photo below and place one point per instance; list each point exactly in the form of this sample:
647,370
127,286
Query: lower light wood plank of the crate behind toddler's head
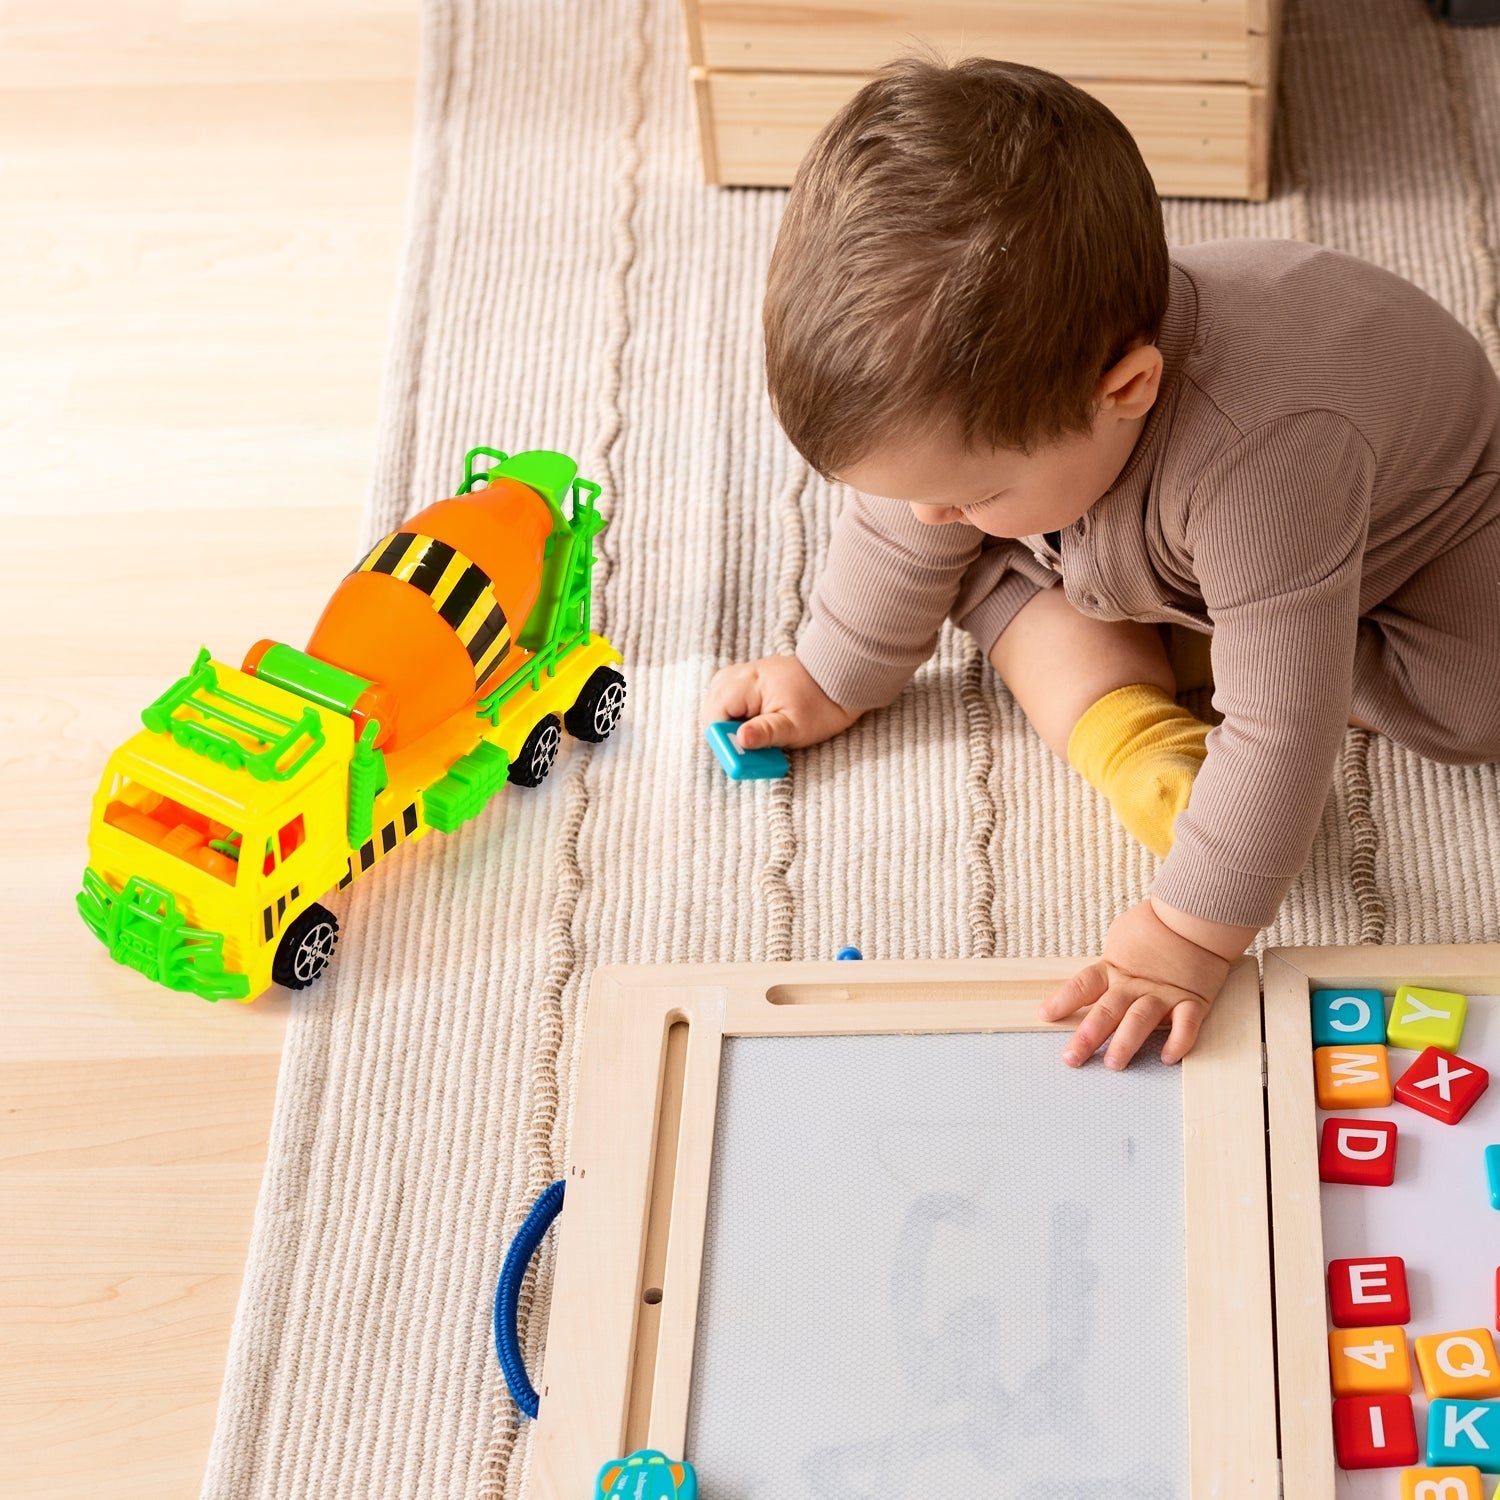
1196,139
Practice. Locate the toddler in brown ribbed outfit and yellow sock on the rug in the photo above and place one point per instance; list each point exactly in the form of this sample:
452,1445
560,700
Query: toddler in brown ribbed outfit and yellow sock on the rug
1064,437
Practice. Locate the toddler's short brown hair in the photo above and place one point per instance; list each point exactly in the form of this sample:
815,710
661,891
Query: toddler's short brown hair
967,245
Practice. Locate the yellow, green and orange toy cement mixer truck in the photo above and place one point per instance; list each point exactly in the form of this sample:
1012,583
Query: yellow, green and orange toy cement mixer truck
446,665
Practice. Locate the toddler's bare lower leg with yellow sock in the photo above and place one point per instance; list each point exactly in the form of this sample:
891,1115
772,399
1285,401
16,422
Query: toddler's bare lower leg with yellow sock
1102,695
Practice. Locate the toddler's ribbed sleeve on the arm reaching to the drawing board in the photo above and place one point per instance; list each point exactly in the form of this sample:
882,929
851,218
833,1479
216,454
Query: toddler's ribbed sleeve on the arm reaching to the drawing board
1277,532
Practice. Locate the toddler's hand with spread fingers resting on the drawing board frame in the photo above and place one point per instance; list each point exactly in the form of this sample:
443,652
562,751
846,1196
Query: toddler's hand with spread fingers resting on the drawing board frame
1147,973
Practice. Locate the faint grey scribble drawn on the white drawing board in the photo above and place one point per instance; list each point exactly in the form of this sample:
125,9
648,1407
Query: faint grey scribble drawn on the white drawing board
959,1399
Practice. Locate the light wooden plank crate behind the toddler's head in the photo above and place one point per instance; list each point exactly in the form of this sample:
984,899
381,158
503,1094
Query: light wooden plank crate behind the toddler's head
1193,80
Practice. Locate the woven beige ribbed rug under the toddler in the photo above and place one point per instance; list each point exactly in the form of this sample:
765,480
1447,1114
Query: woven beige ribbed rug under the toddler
569,284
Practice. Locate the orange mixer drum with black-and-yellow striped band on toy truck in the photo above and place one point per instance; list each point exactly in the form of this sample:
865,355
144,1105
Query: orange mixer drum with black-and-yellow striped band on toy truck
434,611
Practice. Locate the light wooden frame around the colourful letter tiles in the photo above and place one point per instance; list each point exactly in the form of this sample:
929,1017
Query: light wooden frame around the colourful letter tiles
1291,976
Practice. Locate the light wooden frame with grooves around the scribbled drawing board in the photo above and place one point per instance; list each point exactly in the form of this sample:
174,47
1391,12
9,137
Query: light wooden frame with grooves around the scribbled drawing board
625,1306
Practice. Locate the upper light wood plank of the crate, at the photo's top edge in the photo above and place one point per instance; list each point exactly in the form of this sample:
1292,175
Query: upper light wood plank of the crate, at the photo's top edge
1202,41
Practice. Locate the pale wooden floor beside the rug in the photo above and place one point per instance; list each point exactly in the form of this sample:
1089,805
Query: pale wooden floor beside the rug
203,215
